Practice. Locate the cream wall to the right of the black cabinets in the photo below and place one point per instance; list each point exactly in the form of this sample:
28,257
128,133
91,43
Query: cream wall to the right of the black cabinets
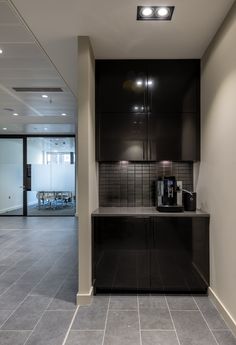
216,185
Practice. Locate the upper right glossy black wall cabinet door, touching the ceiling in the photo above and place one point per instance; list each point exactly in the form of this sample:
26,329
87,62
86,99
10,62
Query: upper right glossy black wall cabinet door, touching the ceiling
173,86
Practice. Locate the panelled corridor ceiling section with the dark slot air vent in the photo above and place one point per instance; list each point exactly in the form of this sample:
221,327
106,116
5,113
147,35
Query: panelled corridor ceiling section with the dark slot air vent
25,64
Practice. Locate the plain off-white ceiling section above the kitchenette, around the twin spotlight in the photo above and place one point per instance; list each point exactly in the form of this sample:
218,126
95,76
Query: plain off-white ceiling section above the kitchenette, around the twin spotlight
115,33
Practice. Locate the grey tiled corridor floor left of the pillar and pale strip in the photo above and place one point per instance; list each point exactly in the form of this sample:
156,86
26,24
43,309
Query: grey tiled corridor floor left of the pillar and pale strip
38,279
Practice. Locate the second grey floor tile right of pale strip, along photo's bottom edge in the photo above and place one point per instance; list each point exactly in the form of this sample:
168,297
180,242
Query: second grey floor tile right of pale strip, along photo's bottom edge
128,338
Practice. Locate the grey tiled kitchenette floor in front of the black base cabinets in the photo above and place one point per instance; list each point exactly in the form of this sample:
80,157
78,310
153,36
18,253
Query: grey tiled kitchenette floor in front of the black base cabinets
149,320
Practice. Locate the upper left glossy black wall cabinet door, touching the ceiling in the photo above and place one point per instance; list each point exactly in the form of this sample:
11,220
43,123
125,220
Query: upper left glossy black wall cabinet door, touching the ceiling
121,86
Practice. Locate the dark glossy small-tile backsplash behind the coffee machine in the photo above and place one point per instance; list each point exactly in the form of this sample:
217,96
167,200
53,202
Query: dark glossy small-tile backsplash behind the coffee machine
132,184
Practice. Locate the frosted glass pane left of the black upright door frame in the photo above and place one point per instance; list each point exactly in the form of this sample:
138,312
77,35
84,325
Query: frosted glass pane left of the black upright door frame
11,176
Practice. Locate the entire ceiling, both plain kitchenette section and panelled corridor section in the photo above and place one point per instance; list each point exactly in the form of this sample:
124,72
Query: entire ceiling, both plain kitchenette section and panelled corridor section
39,39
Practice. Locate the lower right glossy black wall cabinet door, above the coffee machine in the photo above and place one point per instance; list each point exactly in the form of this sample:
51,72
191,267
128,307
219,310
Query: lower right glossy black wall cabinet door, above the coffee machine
174,136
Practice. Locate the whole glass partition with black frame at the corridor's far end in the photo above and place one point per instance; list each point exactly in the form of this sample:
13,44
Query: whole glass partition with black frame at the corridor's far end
46,165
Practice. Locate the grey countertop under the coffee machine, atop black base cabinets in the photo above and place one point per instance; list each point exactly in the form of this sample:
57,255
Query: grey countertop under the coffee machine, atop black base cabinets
143,211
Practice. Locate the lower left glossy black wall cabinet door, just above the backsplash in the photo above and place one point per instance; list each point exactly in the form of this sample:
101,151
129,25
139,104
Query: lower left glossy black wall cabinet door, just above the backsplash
122,137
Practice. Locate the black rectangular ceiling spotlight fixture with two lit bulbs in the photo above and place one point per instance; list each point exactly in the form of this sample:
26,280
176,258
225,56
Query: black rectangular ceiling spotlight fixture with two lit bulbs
155,12
